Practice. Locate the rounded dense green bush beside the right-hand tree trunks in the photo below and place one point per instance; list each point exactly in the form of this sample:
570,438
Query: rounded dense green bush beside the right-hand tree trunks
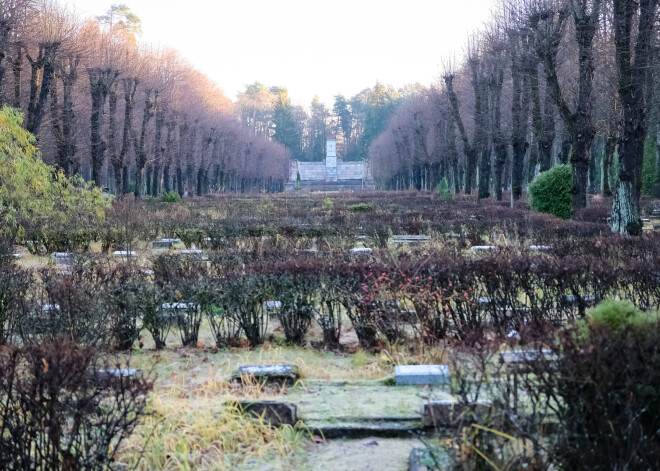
551,191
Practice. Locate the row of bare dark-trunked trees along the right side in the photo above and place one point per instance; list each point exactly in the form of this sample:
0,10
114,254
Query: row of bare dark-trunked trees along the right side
545,82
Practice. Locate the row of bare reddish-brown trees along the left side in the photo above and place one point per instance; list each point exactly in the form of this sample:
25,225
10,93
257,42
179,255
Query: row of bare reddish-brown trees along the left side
130,117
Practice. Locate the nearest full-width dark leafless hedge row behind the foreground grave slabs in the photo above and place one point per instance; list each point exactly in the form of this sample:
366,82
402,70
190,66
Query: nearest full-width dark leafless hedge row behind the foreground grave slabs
418,301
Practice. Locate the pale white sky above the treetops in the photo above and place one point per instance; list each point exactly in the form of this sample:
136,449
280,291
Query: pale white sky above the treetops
312,47
